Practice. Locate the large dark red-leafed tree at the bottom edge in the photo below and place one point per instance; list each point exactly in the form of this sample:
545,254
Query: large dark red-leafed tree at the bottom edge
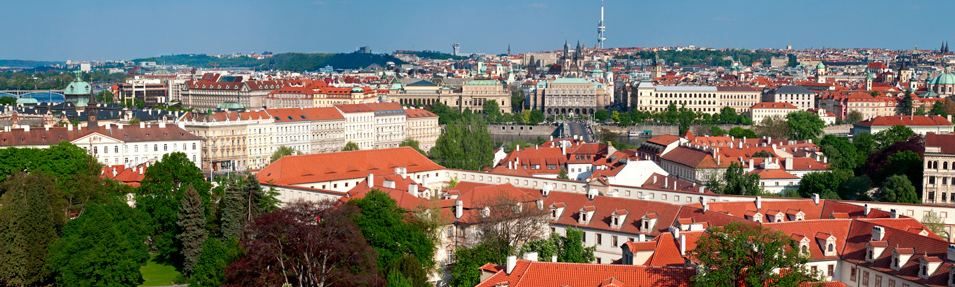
291,246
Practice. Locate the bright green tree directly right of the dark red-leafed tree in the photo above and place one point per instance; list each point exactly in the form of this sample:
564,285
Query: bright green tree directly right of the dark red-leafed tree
387,231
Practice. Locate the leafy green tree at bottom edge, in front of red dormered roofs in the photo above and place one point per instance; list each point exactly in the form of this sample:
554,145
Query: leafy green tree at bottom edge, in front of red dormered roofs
742,253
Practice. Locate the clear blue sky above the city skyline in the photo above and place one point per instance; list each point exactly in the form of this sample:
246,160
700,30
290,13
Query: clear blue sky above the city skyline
122,30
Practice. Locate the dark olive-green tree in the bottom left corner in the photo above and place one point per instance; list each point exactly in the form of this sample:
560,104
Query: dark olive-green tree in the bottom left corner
27,226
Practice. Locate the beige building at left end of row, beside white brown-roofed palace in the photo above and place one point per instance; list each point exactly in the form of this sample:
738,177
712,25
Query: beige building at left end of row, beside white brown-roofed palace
224,136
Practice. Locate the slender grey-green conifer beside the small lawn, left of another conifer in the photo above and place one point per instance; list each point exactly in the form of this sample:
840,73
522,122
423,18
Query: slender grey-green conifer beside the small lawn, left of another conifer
192,223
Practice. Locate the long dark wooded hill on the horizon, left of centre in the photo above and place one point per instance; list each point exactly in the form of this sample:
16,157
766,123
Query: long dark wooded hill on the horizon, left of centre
285,61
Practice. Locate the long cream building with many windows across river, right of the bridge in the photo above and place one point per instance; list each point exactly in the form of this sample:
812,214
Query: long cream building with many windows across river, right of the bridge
707,99
